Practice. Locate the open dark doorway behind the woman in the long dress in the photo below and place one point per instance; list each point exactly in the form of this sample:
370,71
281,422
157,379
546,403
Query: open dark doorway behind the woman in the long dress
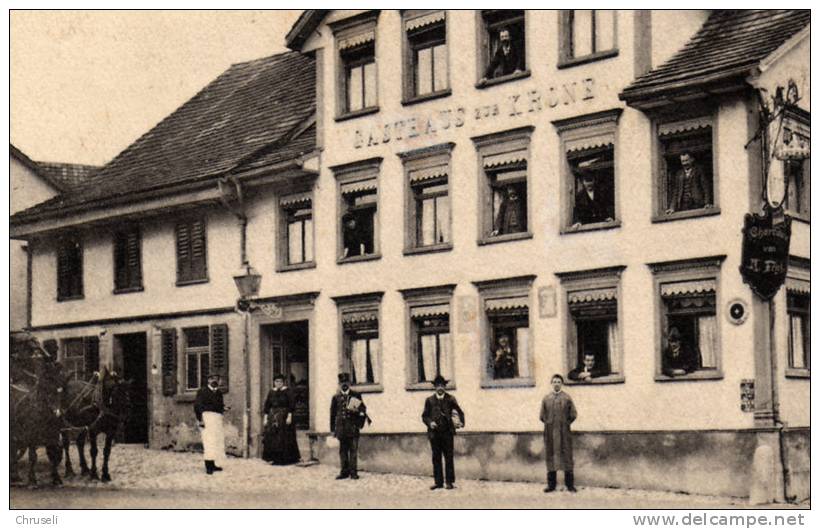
286,352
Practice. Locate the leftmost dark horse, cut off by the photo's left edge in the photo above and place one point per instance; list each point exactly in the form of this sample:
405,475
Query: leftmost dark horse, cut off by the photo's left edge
35,415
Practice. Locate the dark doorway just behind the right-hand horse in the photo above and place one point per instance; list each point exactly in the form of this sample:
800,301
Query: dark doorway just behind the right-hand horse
133,351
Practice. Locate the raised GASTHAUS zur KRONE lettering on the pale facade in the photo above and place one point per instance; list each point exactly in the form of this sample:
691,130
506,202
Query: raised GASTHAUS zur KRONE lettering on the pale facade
442,121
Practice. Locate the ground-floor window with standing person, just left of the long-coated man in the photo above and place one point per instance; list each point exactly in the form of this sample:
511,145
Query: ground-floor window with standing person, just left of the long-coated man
506,337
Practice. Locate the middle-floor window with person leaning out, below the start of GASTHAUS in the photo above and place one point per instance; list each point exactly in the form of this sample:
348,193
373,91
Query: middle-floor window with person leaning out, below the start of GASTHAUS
358,207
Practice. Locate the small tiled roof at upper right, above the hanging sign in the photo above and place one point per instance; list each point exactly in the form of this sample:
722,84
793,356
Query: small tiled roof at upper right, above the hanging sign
730,43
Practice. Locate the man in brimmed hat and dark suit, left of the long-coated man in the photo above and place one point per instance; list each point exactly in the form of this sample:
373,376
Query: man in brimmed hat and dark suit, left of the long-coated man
442,415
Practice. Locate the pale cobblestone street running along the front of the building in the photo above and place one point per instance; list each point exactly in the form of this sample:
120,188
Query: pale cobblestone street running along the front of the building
145,478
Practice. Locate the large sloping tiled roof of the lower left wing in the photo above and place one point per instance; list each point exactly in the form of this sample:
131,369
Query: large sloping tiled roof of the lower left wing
253,107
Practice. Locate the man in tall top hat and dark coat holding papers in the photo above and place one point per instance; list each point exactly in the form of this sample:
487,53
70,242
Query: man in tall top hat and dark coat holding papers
347,416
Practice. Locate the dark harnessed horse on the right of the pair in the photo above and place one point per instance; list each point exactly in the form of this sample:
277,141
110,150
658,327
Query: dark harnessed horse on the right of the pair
95,407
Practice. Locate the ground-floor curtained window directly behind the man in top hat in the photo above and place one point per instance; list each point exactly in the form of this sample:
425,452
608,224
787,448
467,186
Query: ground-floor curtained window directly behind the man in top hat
360,347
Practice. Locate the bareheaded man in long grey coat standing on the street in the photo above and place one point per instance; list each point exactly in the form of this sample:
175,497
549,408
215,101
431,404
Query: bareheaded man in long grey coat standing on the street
557,414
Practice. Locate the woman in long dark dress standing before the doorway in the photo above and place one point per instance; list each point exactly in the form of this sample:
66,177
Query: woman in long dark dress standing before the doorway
279,441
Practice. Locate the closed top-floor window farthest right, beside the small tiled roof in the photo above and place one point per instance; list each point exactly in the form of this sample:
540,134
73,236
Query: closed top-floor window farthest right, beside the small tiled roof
587,34
